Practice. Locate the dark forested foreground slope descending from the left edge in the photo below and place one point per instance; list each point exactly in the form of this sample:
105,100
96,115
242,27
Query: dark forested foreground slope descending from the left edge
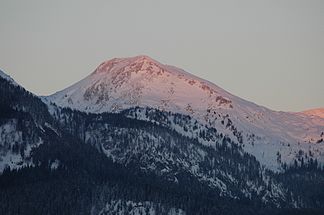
46,170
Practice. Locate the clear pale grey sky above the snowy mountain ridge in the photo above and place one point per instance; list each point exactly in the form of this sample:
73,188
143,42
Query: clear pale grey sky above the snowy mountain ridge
269,52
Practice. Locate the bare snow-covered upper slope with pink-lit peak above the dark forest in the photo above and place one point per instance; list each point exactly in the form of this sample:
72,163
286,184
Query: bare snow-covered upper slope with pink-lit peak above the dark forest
121,83
